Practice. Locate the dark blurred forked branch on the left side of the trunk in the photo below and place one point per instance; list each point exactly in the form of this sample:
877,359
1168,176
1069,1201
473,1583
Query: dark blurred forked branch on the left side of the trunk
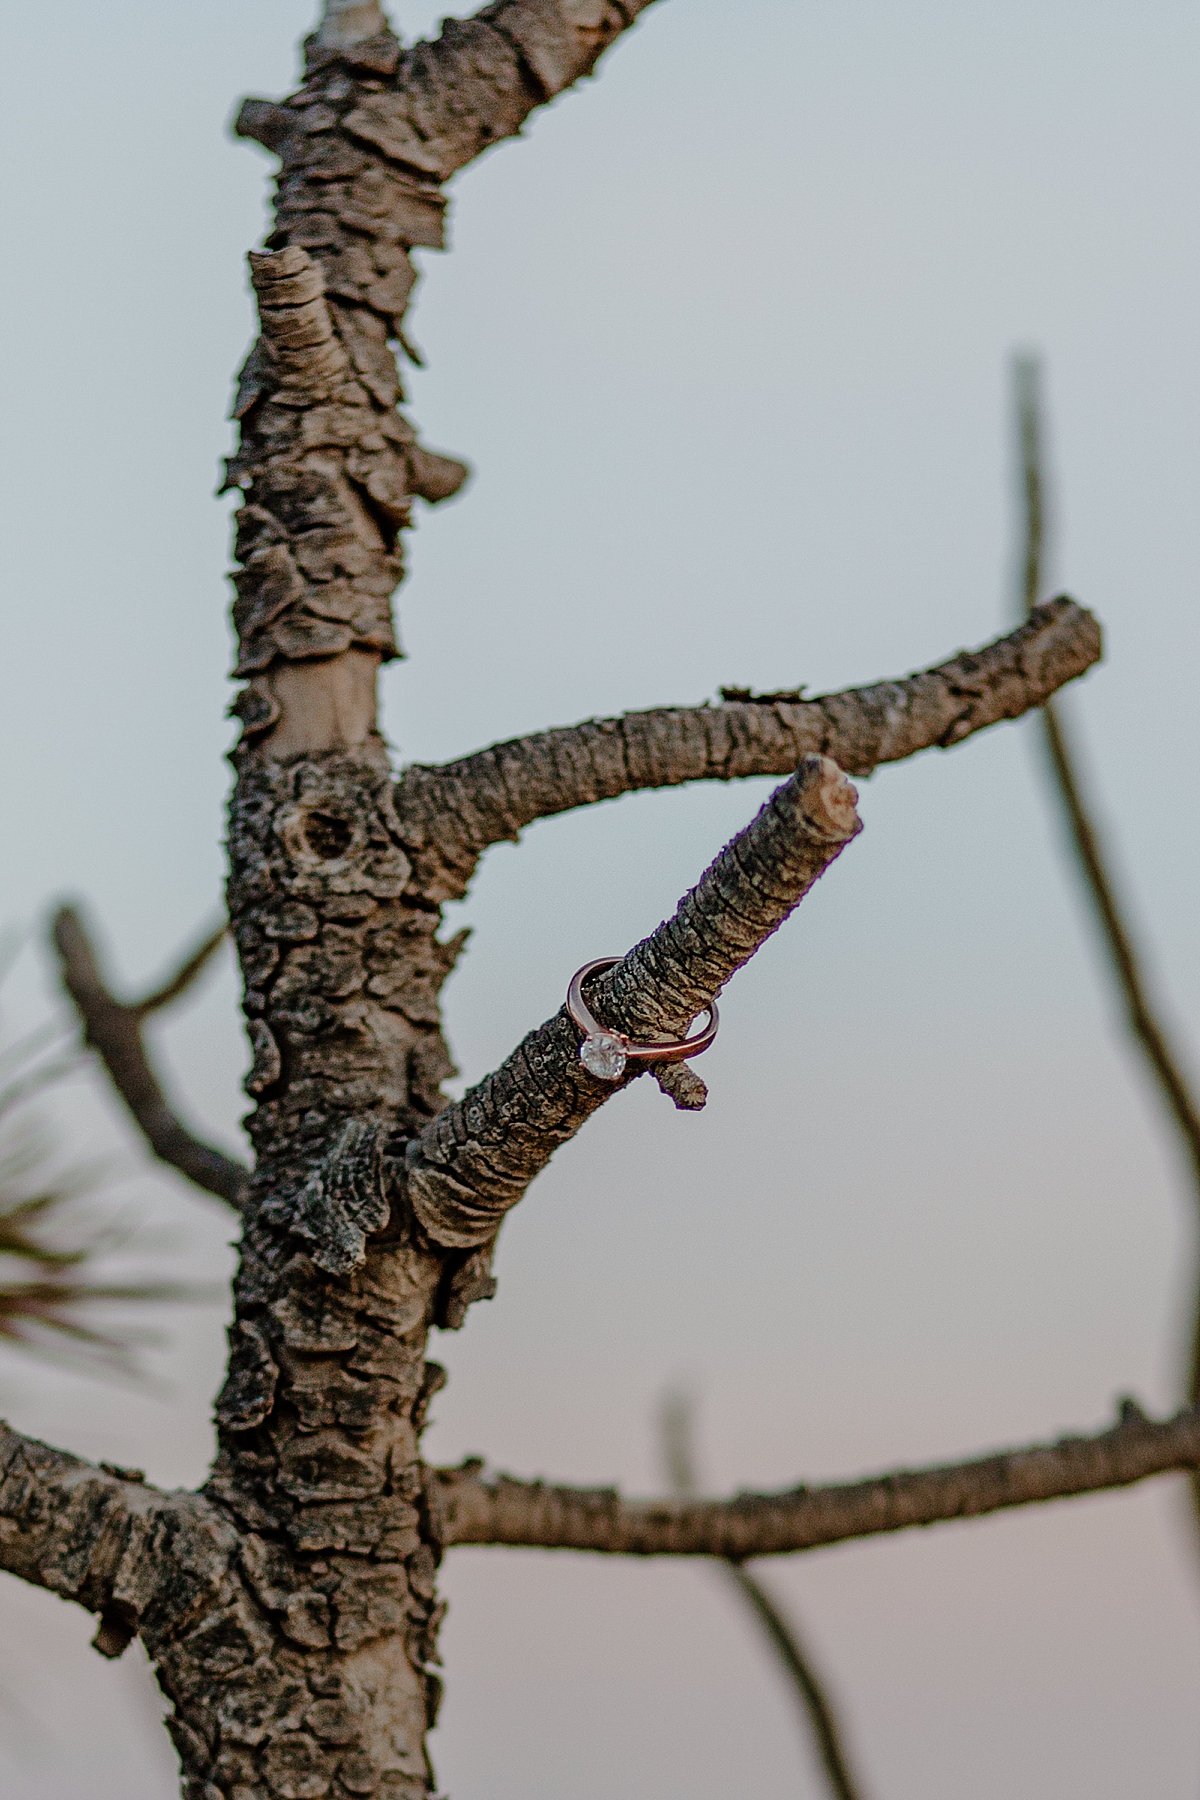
114,1030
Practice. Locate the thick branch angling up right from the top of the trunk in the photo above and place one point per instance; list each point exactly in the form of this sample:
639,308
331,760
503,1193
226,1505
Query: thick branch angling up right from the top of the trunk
483,76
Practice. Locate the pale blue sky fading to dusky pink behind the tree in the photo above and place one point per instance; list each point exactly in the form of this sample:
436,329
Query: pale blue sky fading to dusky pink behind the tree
728,343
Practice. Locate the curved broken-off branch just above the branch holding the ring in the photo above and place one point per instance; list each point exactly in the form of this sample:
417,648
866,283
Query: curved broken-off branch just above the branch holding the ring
451,814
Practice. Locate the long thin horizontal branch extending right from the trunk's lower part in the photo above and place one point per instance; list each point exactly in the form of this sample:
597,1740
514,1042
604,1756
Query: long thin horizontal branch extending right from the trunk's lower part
535,1515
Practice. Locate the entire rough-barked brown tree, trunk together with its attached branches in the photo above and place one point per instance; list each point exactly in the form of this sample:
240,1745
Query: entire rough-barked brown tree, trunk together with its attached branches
291,1608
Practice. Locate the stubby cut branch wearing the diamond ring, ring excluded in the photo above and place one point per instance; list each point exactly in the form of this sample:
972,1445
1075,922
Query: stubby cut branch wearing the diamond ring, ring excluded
476,1160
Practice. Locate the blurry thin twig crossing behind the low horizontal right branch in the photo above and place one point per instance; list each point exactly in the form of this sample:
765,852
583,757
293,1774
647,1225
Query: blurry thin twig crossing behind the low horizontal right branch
810,1689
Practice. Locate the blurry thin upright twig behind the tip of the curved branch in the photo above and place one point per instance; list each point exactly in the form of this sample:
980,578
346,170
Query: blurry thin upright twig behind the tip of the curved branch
1145,1012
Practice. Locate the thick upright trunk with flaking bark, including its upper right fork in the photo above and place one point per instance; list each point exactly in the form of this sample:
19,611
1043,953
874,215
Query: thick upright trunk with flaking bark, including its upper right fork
328,1637
